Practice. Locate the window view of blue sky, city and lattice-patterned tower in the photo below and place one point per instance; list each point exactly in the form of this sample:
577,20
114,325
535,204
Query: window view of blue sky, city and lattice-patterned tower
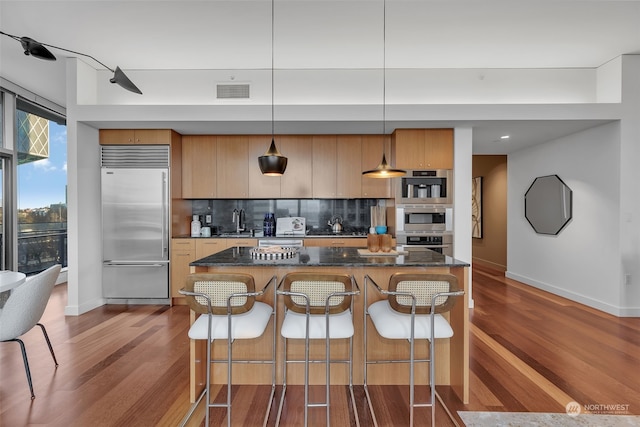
41,184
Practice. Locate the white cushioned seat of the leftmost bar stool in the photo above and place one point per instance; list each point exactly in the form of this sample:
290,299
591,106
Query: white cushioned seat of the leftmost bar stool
251,324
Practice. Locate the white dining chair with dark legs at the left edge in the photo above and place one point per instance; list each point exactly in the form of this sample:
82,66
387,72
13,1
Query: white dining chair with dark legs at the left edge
23,310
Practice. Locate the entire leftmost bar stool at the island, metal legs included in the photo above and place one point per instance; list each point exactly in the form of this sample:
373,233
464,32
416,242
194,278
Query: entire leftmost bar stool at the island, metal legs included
228,311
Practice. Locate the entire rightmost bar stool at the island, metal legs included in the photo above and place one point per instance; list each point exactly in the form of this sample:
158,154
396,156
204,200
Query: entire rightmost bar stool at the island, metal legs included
411,311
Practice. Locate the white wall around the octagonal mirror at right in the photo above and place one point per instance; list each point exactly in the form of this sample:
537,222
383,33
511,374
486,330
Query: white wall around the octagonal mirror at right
582,262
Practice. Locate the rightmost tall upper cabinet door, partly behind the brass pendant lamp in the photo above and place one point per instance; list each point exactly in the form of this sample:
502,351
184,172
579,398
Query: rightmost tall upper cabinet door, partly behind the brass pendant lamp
372,148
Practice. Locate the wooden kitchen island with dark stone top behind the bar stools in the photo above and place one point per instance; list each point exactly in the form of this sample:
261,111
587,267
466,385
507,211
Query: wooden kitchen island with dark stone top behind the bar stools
452,355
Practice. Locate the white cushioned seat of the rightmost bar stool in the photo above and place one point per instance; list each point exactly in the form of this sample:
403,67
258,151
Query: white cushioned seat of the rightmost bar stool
391,324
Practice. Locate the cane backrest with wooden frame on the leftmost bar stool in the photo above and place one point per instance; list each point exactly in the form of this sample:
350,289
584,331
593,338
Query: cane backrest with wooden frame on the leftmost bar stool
219,286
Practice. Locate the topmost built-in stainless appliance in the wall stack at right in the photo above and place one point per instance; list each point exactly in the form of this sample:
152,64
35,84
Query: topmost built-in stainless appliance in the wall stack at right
426,186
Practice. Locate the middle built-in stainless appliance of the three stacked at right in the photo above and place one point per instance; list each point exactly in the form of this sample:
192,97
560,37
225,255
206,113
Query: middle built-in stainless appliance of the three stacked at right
423,218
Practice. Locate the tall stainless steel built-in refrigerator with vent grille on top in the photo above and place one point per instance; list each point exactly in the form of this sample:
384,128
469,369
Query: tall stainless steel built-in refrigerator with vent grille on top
135,223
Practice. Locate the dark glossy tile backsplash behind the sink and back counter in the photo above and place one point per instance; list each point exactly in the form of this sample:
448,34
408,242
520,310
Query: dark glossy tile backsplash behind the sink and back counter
356,213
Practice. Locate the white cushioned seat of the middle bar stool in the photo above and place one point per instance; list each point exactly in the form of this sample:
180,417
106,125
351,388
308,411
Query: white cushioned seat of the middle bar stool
340,325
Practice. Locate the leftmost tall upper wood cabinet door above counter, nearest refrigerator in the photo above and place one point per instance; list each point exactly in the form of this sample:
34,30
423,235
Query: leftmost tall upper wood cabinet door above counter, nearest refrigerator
199,168
